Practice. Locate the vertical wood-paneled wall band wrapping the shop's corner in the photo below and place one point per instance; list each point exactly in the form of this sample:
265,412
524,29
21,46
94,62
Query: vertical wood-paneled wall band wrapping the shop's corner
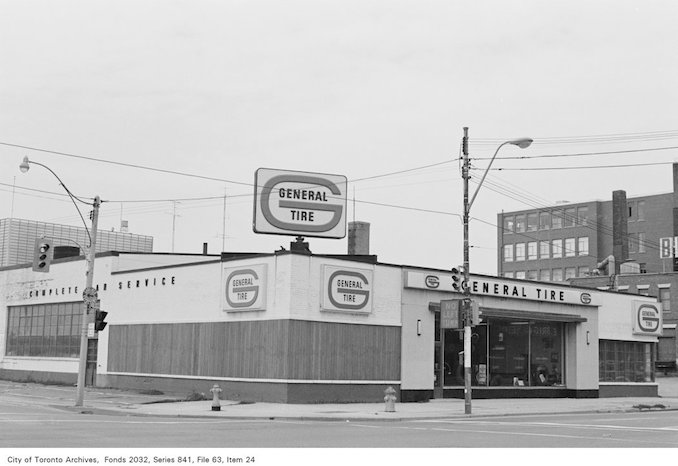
270,349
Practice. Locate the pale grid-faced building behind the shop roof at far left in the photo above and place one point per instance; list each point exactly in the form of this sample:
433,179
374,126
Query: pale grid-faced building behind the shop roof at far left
17,238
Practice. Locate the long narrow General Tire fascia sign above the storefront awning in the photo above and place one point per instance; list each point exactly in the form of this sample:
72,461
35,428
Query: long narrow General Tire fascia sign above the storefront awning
497,287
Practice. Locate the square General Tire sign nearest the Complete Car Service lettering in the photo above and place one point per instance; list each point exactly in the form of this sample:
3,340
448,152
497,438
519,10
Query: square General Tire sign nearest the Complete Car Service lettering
245,288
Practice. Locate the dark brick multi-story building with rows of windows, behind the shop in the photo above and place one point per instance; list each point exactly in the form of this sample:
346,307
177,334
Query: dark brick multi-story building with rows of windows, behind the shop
567,241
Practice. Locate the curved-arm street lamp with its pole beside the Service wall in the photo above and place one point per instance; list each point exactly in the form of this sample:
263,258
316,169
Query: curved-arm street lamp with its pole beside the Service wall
89,294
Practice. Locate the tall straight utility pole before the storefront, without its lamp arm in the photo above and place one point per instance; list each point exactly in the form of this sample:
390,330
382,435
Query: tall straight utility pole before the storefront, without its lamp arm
467,291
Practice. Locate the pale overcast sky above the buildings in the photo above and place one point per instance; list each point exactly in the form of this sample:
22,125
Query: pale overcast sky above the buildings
165,109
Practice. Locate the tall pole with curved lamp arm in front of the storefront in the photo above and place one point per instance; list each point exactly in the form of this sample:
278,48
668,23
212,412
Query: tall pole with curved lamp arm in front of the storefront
466,302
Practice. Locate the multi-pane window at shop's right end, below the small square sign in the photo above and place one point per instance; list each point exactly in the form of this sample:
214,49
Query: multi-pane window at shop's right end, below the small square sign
625,361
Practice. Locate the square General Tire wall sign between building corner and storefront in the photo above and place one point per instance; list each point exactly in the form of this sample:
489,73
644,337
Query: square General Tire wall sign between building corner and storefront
346,289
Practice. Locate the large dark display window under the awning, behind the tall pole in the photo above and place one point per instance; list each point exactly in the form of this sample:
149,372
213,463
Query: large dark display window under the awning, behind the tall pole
505,352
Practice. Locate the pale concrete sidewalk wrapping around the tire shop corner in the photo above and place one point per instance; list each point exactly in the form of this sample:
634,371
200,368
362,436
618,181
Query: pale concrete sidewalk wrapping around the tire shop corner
131,403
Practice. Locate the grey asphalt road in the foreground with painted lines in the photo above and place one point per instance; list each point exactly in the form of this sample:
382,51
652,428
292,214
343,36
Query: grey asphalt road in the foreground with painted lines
23,426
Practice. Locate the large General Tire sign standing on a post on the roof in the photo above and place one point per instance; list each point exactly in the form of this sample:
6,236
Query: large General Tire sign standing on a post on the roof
299,203
